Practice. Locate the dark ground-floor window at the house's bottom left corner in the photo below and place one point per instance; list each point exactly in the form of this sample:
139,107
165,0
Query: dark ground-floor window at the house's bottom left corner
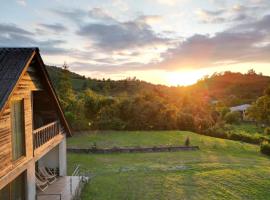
14,190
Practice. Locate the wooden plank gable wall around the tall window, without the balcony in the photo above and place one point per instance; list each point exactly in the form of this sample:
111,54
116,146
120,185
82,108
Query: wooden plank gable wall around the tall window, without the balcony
22,91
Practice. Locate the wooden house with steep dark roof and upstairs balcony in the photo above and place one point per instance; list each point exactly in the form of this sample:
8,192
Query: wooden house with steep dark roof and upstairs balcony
33,129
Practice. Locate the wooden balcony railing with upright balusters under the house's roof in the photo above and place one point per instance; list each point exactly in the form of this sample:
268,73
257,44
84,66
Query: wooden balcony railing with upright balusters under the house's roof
45,133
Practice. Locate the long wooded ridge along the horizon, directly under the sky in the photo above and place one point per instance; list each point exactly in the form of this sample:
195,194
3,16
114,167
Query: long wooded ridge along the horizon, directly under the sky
229,88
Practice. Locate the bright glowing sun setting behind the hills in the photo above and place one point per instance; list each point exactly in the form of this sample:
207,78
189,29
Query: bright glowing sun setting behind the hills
184,78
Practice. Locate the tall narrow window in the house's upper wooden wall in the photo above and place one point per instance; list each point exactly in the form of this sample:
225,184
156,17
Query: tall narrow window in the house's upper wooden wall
17,126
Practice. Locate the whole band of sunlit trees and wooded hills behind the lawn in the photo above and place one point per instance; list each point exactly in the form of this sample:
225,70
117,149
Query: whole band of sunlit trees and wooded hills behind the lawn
145,106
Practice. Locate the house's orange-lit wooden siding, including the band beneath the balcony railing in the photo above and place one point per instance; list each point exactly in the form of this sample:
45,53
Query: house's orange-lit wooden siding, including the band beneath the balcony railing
29,82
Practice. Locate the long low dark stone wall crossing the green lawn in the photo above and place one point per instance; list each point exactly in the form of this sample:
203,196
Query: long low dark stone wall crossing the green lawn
132,149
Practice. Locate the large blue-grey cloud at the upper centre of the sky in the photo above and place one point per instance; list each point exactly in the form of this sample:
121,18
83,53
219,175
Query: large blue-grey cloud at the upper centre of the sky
112,35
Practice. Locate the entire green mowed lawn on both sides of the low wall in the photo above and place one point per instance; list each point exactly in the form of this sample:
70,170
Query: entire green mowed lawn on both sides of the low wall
222,169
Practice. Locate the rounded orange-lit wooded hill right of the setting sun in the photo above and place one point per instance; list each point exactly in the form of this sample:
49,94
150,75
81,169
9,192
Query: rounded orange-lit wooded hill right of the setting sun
233,88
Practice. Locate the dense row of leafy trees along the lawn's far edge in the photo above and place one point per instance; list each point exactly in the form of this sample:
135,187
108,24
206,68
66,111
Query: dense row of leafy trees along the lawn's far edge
153,110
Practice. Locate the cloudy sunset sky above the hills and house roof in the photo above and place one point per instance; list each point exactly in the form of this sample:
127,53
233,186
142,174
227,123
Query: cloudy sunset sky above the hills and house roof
171,42
